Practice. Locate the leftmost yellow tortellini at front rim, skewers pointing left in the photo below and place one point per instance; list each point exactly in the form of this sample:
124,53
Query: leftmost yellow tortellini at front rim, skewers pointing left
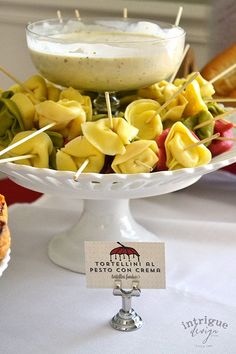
39,146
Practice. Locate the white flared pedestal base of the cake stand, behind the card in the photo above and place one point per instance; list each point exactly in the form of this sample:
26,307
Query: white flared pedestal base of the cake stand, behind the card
101,220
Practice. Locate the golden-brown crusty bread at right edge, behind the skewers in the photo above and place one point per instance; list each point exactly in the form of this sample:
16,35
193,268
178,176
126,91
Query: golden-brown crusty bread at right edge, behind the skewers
225,87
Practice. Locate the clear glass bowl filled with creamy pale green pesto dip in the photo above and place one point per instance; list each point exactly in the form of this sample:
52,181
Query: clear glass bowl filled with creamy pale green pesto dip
104,54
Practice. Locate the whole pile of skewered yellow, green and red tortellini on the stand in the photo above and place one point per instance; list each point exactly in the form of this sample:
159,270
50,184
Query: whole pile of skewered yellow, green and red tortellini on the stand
130,143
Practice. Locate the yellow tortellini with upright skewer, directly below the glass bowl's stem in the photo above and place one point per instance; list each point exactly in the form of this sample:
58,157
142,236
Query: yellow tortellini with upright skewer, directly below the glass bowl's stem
109,140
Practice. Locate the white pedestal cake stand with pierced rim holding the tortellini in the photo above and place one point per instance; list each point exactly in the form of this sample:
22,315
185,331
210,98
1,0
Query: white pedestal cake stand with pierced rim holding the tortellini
106,215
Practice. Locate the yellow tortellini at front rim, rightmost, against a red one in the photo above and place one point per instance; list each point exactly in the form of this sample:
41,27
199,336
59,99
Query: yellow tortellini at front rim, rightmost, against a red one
177,153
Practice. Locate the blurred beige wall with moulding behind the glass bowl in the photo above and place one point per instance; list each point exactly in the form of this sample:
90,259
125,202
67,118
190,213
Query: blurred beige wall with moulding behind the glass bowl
15,14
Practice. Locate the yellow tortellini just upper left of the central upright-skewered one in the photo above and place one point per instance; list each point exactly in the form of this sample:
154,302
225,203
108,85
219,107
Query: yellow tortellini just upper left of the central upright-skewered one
68,116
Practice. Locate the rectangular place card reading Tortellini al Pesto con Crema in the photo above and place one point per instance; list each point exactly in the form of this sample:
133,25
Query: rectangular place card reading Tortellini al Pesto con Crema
142,262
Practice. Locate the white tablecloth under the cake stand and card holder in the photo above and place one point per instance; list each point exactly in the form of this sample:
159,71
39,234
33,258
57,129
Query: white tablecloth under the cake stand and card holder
47,309
